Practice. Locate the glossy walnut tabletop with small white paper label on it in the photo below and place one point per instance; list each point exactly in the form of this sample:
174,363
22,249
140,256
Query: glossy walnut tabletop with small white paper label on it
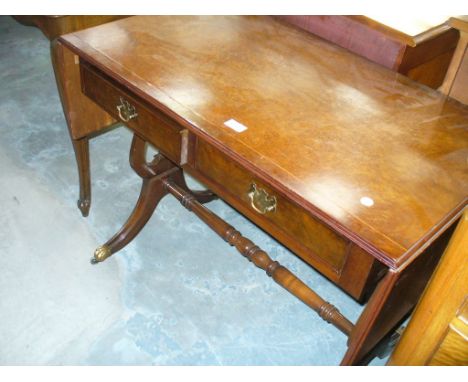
381,159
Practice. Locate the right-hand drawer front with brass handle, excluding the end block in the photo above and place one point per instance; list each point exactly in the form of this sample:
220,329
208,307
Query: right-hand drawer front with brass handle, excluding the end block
310,239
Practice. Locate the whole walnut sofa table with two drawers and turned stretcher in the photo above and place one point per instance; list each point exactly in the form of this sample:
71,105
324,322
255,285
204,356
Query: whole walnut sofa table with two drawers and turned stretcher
360,171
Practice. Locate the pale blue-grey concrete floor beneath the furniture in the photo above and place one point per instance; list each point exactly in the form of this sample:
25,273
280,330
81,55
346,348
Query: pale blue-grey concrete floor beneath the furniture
177,295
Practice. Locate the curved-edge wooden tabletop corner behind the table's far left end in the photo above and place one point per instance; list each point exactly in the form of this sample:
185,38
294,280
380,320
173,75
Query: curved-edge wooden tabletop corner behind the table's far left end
55,26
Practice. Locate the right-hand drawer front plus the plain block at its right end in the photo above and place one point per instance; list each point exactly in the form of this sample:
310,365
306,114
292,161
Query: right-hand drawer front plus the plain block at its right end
347,265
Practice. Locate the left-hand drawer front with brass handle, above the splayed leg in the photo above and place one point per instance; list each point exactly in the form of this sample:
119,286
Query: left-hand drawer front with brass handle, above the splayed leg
148,122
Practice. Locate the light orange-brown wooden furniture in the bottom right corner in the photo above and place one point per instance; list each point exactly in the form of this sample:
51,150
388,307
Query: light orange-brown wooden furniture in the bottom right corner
437,333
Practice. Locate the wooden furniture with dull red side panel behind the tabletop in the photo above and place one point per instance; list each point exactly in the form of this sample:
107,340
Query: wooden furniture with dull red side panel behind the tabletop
419,47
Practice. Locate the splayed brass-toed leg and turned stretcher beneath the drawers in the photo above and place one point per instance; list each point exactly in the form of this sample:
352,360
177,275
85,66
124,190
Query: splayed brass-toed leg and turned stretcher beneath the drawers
162,177
